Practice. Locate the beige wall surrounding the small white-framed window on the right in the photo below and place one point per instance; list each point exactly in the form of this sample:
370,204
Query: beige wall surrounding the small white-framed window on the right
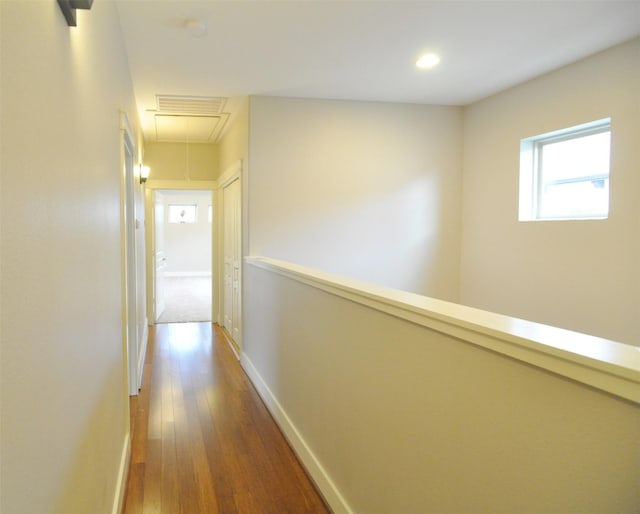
582,275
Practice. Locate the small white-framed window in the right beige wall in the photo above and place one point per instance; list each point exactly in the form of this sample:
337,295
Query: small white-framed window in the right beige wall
565,174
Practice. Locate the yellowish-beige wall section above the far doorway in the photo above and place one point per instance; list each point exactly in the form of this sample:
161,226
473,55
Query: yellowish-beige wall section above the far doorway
181,161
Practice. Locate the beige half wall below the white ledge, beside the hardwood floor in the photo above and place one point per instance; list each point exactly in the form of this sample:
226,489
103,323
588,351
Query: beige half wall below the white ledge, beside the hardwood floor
406,419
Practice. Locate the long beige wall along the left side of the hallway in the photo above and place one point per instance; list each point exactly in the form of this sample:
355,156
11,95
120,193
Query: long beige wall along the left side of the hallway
64,393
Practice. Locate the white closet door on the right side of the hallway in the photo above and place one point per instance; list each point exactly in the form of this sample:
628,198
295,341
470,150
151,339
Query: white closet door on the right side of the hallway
232,245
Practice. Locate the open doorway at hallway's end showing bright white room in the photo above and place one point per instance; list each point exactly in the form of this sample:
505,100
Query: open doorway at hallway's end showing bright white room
183,255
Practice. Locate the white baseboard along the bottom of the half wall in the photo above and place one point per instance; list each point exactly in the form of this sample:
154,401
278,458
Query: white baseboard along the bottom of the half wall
318,474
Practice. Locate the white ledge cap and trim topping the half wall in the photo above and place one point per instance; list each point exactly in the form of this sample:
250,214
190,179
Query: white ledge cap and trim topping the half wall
608,365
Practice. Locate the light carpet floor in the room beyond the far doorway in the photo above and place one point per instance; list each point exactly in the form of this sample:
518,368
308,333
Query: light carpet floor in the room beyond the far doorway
186,299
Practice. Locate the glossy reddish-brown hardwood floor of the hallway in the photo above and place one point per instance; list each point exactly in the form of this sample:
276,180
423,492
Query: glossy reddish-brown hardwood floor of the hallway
203,442
